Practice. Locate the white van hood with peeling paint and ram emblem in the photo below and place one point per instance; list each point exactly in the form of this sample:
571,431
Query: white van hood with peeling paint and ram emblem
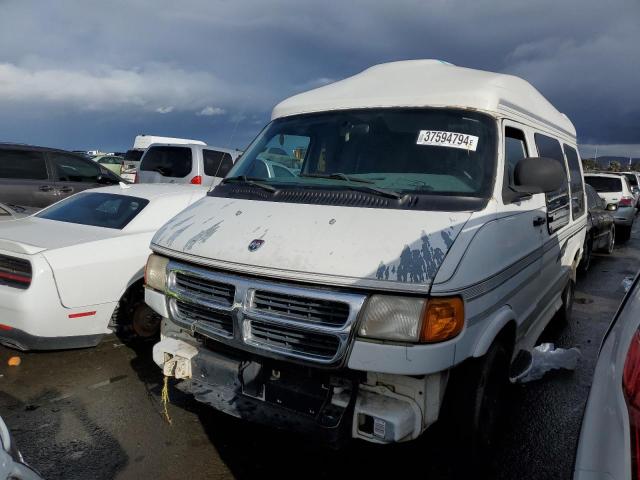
365,247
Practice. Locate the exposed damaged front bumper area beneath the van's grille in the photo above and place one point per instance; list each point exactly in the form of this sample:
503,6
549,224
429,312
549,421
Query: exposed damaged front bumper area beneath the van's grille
332,405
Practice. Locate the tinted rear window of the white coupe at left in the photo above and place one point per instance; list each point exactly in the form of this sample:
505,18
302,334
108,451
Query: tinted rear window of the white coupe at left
107,210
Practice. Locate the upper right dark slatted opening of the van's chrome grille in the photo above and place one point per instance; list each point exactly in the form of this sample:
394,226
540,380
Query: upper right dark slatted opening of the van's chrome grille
312,310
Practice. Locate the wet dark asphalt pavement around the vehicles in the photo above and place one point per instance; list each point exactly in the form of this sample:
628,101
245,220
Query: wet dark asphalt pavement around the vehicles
97,414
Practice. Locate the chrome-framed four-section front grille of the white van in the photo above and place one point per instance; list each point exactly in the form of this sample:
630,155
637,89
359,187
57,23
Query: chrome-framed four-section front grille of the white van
272,319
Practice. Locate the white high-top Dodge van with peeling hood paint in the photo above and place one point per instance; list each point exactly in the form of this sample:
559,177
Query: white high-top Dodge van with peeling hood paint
420,246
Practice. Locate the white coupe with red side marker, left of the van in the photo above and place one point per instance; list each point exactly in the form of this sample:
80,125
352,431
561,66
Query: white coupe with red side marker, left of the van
74,271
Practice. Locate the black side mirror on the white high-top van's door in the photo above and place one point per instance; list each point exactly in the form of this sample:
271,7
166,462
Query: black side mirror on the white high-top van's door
538,175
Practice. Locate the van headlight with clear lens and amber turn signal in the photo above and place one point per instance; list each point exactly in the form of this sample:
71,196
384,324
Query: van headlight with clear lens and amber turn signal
409,319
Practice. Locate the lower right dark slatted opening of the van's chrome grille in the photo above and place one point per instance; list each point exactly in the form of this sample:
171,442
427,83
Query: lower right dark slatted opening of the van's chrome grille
293,341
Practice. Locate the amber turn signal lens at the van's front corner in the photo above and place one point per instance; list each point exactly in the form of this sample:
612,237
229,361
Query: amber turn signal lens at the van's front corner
442,319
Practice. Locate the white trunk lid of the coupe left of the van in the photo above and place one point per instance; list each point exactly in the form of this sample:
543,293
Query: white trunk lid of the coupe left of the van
33,235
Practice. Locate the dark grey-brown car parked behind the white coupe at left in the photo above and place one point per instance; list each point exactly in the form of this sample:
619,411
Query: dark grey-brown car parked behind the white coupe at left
39,176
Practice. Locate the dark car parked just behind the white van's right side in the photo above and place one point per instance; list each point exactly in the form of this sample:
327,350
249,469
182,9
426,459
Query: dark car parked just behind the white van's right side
601,229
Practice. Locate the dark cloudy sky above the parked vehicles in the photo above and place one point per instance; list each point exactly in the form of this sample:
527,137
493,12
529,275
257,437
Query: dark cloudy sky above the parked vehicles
77,73
